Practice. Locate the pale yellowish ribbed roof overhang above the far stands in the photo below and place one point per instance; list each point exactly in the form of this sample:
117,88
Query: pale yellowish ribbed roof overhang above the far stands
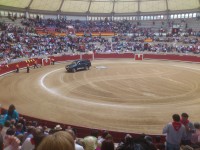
101,7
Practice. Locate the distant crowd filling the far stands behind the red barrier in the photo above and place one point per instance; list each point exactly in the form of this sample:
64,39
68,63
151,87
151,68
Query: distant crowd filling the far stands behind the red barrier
24,41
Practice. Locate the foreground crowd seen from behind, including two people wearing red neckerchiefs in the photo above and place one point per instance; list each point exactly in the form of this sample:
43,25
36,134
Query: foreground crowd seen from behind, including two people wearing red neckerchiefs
16,133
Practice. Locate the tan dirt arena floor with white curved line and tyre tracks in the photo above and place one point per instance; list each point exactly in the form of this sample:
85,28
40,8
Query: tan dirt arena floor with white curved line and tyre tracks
120,94
